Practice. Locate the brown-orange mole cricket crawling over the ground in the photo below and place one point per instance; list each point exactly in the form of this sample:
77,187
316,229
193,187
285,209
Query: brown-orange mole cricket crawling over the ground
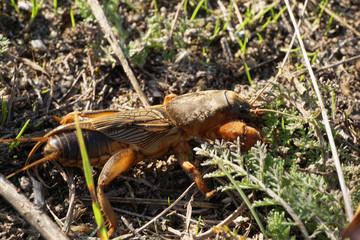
120,139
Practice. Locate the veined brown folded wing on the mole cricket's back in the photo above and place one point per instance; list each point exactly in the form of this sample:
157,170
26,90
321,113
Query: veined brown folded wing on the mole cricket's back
141,127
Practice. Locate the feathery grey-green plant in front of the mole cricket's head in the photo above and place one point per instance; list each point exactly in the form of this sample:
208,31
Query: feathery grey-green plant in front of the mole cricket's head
309,198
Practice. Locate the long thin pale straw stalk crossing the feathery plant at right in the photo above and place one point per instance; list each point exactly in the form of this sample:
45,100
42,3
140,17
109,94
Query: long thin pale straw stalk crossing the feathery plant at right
348,208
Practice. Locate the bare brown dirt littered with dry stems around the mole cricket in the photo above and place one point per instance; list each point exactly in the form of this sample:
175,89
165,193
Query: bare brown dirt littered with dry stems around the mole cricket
74,69
